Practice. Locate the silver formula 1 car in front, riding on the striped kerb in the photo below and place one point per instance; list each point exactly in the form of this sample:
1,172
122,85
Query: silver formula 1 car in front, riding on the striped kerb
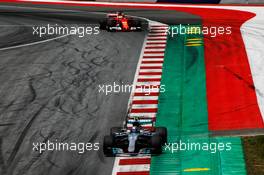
135,140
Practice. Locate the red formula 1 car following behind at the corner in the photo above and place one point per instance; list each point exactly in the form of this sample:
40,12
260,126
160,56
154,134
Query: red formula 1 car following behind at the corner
119,22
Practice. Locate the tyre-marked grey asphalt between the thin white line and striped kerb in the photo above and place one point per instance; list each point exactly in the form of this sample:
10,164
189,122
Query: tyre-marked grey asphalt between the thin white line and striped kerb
51,92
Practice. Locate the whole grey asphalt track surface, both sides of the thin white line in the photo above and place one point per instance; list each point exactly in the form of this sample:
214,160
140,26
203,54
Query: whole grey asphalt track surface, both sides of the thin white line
49,91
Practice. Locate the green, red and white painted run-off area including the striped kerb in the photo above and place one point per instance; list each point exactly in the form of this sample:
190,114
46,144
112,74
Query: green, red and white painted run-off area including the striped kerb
214,86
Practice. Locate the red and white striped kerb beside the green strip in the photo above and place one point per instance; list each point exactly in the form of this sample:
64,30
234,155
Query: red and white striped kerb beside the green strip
144,100
